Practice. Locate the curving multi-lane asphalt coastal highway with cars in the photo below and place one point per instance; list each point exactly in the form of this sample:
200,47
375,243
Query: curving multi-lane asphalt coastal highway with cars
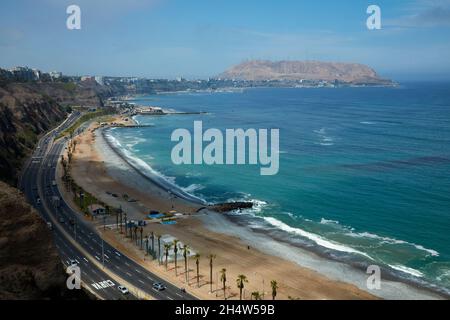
79,240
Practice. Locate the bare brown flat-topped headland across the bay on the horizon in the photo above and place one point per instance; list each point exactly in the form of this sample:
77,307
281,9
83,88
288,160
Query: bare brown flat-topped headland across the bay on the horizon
307,70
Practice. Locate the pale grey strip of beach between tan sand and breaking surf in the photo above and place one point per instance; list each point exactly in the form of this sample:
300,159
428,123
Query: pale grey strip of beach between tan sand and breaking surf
235,227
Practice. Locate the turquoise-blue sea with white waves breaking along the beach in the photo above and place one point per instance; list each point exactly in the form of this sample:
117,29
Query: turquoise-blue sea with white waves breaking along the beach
364,172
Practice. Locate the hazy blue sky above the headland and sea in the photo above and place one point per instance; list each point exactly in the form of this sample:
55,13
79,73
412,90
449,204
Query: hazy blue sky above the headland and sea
169,38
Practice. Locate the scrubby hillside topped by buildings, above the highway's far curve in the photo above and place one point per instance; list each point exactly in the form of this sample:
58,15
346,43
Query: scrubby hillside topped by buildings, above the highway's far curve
29,109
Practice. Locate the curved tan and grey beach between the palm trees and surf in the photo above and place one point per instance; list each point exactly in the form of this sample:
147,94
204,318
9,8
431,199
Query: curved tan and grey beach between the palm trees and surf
300,274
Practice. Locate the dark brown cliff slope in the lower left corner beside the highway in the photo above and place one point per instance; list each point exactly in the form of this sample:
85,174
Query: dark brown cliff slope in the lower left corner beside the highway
30,267
